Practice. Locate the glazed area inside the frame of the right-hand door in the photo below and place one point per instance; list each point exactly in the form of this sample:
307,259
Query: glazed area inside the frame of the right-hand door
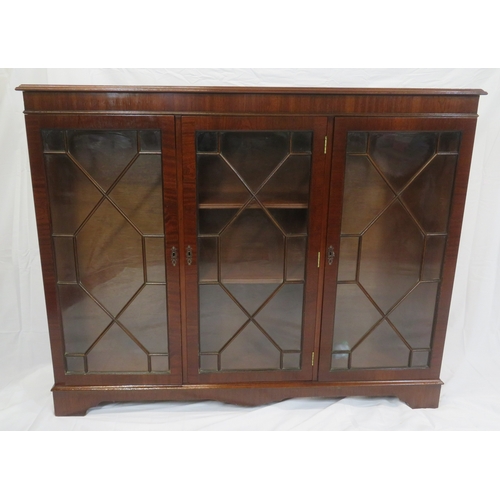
390,304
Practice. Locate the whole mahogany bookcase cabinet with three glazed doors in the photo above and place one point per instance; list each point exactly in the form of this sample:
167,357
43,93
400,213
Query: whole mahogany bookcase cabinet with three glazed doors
247,245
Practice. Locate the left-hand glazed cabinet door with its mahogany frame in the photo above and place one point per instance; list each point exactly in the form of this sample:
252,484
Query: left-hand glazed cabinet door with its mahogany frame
106,205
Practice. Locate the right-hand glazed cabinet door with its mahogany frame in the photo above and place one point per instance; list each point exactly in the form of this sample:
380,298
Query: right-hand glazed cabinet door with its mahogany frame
393,243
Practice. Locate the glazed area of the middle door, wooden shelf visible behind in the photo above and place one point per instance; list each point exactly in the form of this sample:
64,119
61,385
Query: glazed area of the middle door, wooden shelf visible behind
253,196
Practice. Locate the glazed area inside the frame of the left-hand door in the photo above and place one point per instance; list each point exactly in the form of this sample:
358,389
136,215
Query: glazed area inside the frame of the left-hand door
111,318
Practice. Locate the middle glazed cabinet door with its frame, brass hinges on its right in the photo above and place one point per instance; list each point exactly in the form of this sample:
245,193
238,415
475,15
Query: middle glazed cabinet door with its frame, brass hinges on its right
253,195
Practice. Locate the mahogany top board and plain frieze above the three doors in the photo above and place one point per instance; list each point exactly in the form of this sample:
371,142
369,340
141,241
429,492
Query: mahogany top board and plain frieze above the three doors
247,101
